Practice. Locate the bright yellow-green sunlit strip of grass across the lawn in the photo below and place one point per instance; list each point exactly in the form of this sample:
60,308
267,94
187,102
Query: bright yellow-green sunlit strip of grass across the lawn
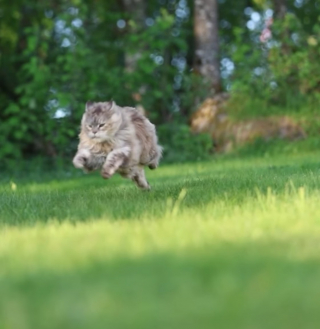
286,225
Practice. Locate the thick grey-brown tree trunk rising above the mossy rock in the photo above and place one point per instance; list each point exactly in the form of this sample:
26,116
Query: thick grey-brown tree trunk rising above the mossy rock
206,59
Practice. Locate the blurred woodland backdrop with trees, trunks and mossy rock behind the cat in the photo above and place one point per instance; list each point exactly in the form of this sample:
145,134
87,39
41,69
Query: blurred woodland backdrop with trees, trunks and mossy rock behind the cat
215,76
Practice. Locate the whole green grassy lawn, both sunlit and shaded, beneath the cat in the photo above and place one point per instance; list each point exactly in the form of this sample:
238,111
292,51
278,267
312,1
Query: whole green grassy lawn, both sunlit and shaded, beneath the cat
232,243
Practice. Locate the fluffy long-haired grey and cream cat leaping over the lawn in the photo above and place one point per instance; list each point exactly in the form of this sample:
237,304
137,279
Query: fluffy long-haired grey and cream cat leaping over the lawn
117,139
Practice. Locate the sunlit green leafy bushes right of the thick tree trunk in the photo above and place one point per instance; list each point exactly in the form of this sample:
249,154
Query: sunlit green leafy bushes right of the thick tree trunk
280,76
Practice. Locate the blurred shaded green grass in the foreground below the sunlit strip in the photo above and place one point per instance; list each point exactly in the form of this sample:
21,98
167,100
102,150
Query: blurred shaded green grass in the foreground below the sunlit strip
239,286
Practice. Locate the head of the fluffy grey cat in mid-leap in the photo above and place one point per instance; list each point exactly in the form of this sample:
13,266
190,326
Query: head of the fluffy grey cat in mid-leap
101,120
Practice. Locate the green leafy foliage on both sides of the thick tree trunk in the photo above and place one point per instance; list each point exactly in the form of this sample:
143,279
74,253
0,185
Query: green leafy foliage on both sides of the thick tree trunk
54,56
